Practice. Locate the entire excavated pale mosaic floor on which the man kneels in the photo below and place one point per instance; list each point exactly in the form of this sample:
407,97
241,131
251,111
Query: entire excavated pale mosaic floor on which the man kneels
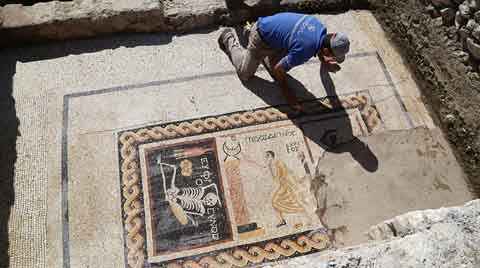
185,166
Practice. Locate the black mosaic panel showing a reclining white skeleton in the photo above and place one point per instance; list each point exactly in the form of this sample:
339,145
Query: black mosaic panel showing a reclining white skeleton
185,207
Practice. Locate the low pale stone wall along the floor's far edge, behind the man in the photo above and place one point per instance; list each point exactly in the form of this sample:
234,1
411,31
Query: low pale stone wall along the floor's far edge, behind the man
57,20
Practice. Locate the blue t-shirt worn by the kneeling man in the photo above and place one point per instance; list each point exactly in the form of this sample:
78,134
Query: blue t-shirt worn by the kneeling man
299,34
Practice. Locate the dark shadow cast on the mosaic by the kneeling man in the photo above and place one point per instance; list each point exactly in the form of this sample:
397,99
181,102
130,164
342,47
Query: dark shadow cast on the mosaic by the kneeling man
335,136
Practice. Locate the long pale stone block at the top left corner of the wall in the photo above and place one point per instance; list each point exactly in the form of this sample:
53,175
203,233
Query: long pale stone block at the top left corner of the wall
59,20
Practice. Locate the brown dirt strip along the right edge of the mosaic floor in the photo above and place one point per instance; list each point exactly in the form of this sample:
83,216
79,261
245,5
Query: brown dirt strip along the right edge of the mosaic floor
450,84
